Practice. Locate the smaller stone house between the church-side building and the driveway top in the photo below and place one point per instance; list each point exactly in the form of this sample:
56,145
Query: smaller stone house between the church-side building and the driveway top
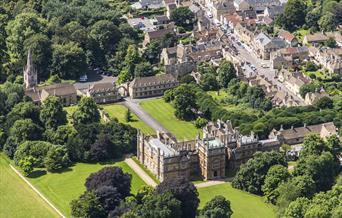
104,93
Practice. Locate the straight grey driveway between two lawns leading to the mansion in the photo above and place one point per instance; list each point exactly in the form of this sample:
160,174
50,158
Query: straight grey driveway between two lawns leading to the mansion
134,106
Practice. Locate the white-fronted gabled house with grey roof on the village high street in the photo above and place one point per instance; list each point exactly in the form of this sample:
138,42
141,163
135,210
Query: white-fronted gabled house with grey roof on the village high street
264,45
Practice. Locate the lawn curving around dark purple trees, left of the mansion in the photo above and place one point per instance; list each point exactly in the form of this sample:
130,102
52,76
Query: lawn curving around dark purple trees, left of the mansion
62,188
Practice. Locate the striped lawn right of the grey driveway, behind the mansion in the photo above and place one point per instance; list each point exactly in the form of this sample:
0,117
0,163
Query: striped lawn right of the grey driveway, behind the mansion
164,113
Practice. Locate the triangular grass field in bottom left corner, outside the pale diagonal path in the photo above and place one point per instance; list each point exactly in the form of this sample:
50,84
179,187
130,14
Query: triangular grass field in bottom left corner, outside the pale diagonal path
17,199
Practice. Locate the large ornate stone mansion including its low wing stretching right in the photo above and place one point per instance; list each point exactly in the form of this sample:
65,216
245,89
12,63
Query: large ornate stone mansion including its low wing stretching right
220,151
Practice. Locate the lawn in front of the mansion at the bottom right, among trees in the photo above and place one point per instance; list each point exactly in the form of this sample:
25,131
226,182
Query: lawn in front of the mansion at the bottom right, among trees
244,205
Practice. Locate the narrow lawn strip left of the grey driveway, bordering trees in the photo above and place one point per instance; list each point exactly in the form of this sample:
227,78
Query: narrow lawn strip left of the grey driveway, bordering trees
118,111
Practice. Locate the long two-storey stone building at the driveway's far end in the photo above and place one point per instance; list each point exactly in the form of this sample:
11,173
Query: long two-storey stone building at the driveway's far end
151,86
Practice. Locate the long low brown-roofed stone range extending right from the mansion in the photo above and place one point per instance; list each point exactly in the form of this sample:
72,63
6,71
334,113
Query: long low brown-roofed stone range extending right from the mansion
296,135
